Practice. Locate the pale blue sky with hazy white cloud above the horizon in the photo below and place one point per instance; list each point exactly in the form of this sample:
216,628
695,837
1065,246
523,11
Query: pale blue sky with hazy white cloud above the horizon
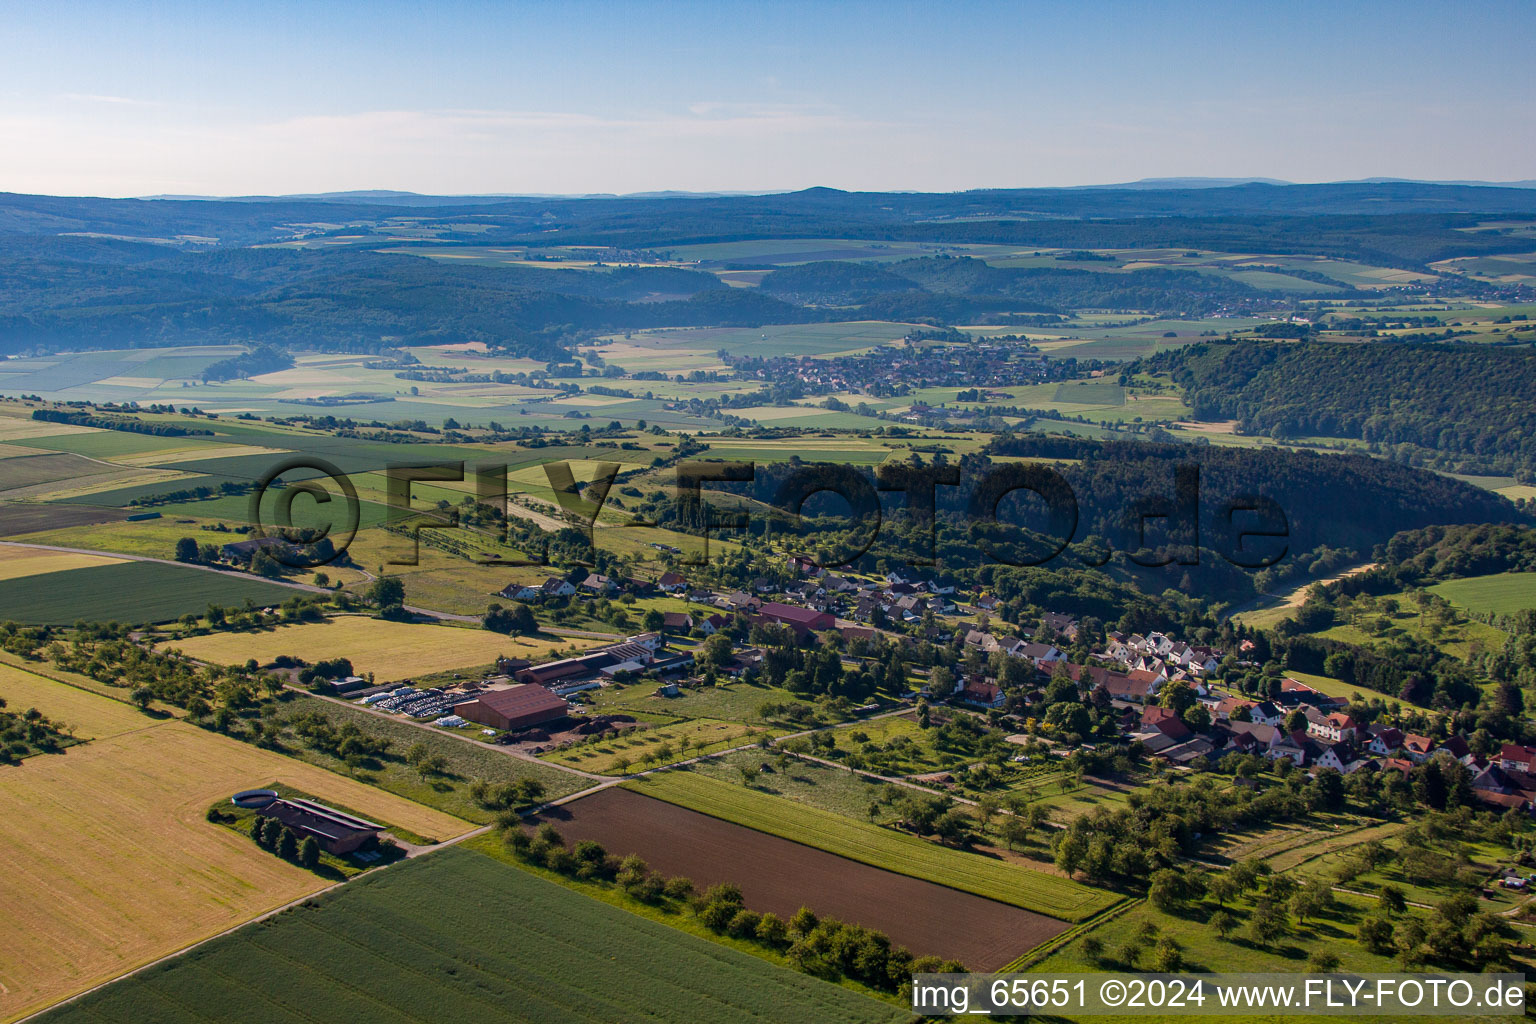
219,99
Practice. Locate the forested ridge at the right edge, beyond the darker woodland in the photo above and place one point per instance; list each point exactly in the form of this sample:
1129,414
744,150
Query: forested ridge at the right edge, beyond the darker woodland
1475,401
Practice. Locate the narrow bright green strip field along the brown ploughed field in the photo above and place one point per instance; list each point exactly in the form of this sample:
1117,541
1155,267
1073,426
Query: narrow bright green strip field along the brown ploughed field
873,845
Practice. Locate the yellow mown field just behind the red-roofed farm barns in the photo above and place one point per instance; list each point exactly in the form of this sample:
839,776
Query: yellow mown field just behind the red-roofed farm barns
386,650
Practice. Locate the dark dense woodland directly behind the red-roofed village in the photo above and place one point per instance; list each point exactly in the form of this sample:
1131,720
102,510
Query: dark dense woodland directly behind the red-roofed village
1332,507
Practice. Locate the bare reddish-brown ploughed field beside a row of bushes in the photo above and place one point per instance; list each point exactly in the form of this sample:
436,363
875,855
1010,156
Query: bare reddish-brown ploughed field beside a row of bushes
781,876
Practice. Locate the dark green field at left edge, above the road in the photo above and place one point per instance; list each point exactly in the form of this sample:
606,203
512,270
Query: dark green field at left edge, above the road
131,592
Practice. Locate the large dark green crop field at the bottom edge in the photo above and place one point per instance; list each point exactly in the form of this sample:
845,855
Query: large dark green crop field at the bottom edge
462,937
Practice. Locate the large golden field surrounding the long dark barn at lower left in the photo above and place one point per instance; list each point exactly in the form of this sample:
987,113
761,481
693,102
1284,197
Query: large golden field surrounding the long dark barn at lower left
110,860
